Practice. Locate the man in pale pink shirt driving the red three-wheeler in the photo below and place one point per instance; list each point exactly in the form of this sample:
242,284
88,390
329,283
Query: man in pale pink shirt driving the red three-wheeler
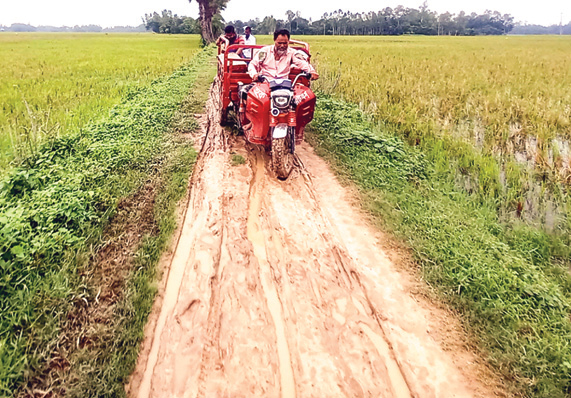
274,62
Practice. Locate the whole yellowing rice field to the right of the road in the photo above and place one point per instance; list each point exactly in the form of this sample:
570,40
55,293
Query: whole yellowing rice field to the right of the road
495,111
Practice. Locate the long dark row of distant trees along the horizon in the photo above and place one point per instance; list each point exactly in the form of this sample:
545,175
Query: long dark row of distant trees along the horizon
398,21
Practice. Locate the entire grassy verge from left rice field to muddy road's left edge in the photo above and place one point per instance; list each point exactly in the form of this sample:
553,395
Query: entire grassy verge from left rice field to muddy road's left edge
53,215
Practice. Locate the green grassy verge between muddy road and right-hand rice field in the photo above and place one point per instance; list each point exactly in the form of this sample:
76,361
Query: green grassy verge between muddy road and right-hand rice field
509,282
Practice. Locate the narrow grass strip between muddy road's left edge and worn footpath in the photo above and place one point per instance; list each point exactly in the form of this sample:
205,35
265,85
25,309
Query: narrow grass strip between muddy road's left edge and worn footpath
102,371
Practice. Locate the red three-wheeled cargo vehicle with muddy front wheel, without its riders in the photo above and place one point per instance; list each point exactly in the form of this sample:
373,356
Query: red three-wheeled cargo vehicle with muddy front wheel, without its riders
256,111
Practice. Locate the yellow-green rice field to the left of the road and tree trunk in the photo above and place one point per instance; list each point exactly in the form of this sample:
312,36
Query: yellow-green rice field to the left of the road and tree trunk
52,84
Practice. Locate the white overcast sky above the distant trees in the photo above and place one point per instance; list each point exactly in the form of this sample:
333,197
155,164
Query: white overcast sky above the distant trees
108,13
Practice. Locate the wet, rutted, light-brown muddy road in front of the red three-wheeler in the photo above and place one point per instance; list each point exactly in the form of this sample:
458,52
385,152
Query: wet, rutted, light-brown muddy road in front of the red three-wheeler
281,289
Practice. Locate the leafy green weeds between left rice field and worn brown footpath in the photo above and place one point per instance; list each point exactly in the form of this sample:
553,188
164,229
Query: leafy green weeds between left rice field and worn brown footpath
53,209
